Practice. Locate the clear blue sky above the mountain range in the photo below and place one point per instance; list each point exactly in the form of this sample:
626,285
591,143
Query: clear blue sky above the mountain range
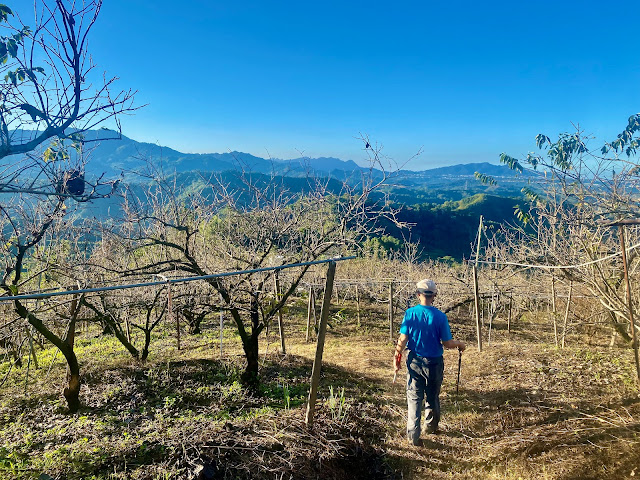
464,81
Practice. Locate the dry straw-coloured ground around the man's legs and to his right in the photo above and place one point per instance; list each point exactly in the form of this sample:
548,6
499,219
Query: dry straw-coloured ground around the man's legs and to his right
524,411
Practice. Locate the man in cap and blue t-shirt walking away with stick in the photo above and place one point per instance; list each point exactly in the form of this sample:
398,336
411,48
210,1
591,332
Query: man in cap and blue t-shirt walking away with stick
424,331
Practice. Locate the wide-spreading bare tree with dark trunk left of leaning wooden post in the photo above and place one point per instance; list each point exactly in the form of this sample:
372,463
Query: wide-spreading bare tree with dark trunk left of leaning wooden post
243,221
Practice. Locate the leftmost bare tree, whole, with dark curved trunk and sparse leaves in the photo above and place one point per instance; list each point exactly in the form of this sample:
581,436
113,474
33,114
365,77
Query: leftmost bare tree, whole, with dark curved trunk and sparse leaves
49,99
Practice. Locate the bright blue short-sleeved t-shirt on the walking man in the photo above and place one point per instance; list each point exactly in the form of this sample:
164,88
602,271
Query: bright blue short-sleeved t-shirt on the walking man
427,328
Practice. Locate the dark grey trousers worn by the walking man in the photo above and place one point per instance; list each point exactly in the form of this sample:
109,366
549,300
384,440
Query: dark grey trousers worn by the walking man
424,380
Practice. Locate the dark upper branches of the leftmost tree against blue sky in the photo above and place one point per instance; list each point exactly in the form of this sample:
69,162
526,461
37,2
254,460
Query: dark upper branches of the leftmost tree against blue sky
52,88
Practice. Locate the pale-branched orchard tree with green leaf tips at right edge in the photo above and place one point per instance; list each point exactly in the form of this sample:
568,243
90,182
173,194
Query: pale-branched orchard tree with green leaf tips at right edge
575,193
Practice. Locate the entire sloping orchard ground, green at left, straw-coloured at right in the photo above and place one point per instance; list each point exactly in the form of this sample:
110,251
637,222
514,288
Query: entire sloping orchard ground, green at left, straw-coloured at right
525,410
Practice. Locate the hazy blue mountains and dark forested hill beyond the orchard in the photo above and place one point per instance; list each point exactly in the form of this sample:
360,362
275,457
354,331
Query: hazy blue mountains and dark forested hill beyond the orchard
442,203
